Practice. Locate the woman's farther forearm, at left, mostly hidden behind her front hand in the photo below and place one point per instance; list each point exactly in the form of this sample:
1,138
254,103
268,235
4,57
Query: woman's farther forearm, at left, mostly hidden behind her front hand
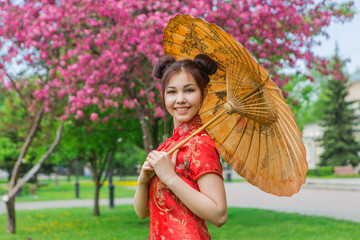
141,197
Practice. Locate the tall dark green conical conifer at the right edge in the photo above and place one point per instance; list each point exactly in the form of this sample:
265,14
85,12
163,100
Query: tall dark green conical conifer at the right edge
340,146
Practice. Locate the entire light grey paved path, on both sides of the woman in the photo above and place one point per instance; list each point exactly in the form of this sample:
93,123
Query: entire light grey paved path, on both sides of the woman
335,198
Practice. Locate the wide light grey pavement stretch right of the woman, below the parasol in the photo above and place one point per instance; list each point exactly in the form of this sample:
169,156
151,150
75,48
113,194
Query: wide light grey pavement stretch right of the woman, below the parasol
310,200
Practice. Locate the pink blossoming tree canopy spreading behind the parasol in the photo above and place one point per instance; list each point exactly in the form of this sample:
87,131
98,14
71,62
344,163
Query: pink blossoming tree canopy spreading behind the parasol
100,53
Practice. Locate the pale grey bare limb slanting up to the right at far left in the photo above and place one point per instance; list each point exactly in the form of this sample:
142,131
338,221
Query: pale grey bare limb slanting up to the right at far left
37,166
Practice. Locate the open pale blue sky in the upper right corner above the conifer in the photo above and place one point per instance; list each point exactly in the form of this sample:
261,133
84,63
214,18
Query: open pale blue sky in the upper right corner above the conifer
347,36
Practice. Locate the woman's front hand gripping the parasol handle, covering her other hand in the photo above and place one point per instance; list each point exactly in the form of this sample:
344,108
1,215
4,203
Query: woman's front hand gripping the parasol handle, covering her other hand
162,165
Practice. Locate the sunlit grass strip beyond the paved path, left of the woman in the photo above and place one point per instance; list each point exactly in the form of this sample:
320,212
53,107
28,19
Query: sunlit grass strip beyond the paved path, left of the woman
66,191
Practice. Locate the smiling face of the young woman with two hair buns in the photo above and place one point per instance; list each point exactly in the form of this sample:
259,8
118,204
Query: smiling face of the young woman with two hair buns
182,97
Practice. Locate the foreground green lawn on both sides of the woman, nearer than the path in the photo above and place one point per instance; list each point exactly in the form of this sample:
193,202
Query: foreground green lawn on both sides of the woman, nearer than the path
122,223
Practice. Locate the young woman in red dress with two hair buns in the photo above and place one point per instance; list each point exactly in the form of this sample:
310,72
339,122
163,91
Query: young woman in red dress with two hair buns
182,191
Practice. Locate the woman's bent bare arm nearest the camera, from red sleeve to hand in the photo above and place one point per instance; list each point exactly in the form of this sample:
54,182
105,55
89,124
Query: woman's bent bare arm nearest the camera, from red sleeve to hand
209,204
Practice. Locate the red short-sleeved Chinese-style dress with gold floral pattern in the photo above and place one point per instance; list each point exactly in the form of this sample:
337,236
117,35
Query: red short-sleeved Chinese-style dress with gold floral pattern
170,219
